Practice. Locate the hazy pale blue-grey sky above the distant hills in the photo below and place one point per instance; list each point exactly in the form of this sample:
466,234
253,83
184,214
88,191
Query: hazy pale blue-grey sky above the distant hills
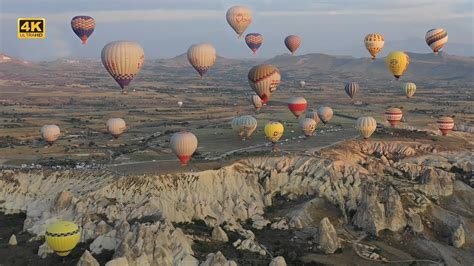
166,28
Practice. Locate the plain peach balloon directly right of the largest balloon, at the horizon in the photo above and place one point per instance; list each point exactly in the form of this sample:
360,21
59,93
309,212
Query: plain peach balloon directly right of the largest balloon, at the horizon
202,57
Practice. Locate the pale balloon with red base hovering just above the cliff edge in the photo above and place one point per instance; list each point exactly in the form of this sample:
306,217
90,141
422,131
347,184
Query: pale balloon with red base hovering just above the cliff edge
183,144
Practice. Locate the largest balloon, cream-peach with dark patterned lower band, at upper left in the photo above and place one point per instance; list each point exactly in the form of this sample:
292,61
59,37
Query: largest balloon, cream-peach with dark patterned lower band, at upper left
123,60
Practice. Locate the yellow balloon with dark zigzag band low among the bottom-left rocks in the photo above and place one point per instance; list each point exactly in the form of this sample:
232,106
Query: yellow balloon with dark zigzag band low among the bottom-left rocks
62,237
